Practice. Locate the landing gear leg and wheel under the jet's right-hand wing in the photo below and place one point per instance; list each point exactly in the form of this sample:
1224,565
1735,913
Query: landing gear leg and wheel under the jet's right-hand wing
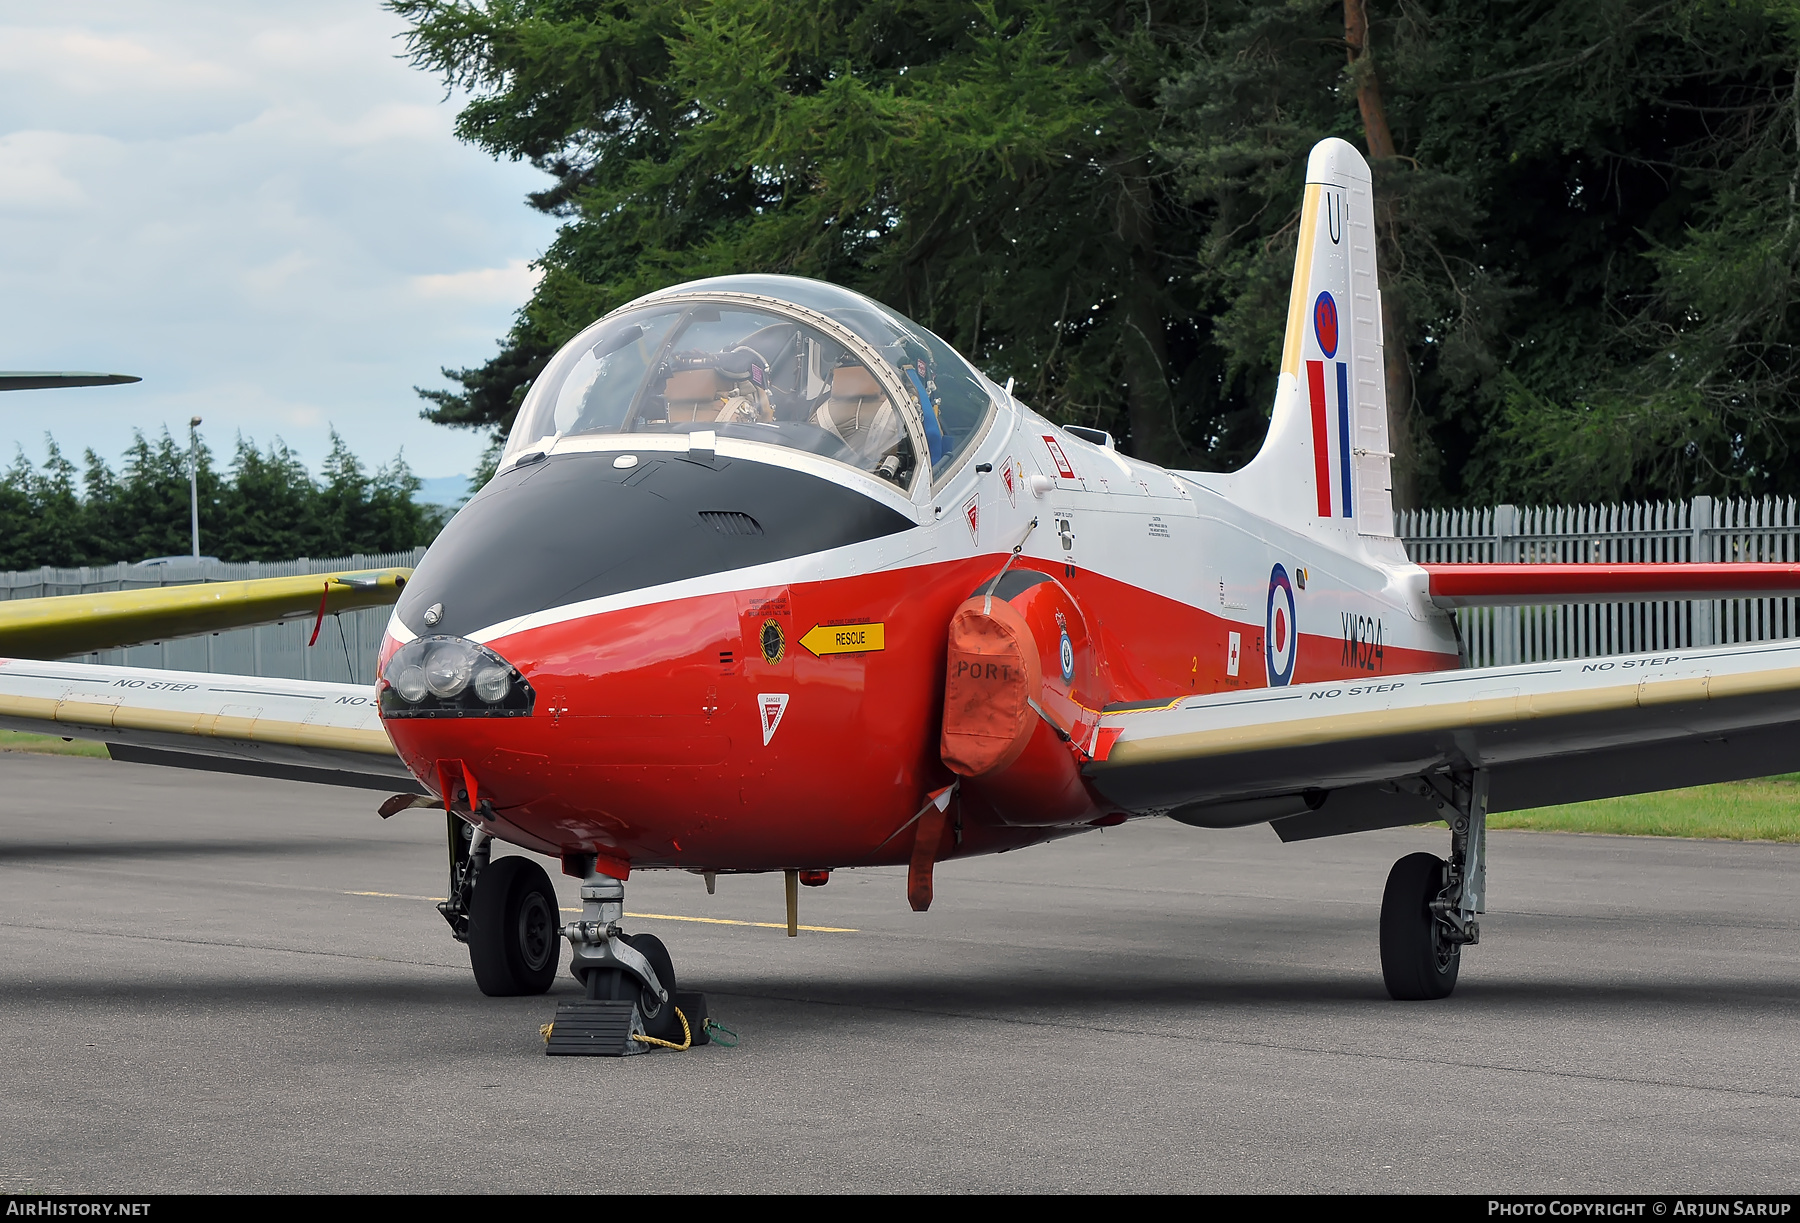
1428,914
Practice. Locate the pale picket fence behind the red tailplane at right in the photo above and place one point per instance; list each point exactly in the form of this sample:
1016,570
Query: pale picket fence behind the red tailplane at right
1704,529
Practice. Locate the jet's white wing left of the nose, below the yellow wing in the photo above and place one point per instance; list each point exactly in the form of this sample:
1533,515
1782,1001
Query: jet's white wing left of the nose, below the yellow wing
289,729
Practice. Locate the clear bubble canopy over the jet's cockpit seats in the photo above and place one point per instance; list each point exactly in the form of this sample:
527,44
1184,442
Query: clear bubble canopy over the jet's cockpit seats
771,359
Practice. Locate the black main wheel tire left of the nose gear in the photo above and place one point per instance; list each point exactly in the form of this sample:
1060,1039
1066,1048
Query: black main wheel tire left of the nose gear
512,929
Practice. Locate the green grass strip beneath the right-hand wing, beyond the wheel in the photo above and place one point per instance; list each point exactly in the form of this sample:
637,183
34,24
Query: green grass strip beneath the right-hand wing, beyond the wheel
1767,810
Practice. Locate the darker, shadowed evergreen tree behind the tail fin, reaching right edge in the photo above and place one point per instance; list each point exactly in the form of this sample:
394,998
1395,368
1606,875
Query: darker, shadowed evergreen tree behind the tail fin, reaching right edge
1581,197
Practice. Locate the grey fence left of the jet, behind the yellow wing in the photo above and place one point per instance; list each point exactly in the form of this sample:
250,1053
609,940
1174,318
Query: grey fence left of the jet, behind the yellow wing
345,651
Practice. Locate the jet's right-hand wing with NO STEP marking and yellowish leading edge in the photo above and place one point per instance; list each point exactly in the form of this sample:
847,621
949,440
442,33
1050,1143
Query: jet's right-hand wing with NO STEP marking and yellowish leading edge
1351,756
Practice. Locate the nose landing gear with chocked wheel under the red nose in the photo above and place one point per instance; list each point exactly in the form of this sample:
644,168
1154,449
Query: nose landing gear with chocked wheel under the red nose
629,979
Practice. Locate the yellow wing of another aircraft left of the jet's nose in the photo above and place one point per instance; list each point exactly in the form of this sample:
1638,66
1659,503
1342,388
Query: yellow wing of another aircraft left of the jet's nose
84,624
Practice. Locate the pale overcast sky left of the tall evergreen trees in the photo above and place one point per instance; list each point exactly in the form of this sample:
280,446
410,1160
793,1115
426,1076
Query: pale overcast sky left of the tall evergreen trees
260,212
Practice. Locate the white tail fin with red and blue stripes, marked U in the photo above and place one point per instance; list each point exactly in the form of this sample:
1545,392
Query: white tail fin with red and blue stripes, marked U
1326,460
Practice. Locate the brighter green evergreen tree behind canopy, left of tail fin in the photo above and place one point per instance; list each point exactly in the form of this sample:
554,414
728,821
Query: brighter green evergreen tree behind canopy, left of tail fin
989,170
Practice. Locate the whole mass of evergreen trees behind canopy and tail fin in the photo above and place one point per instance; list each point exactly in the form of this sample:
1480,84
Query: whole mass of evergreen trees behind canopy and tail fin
1590,233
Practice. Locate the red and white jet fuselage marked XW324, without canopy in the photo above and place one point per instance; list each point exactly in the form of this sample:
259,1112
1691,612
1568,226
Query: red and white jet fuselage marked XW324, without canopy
787,716
